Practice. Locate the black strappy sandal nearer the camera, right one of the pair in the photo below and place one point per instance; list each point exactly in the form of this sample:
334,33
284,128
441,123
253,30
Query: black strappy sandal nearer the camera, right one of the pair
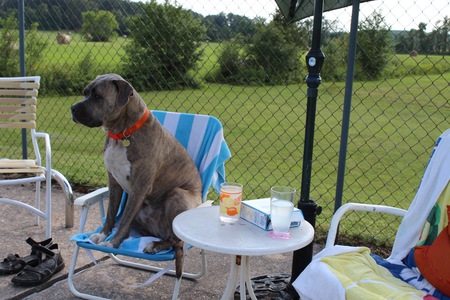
50,265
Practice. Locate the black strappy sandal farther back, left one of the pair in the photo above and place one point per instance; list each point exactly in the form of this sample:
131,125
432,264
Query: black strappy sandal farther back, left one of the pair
13,263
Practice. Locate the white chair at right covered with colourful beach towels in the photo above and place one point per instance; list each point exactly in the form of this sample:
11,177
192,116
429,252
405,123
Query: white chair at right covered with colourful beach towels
343,272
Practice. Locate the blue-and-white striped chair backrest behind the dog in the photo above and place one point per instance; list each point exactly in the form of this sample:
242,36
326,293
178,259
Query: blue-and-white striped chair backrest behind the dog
202,136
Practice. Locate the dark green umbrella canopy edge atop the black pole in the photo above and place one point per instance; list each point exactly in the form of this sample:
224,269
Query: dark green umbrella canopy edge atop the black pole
294,10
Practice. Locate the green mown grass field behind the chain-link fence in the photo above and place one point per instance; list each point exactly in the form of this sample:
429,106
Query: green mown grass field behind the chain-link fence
393,126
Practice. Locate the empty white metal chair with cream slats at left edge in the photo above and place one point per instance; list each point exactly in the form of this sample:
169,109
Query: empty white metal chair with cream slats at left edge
18,100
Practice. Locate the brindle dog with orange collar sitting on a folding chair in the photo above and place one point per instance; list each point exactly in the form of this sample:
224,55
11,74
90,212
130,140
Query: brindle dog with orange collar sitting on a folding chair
150,165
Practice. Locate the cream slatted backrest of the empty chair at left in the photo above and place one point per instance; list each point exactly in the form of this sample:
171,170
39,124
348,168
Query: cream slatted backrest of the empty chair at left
18,99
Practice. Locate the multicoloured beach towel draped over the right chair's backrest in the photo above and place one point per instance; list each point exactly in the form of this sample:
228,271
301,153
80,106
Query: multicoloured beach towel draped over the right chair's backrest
426,218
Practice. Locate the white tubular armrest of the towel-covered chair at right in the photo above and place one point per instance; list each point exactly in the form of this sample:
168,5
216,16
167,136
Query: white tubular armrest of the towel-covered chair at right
331,238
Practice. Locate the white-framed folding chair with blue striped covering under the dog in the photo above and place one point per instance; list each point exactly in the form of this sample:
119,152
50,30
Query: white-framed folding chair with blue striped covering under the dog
202,136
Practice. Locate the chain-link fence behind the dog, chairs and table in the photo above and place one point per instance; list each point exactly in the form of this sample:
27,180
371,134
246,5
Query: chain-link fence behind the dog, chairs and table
238,61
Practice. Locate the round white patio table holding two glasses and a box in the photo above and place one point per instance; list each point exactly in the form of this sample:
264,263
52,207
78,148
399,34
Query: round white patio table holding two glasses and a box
201,227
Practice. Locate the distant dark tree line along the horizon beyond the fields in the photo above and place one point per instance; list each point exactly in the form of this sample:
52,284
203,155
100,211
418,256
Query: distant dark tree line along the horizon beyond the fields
68,15
